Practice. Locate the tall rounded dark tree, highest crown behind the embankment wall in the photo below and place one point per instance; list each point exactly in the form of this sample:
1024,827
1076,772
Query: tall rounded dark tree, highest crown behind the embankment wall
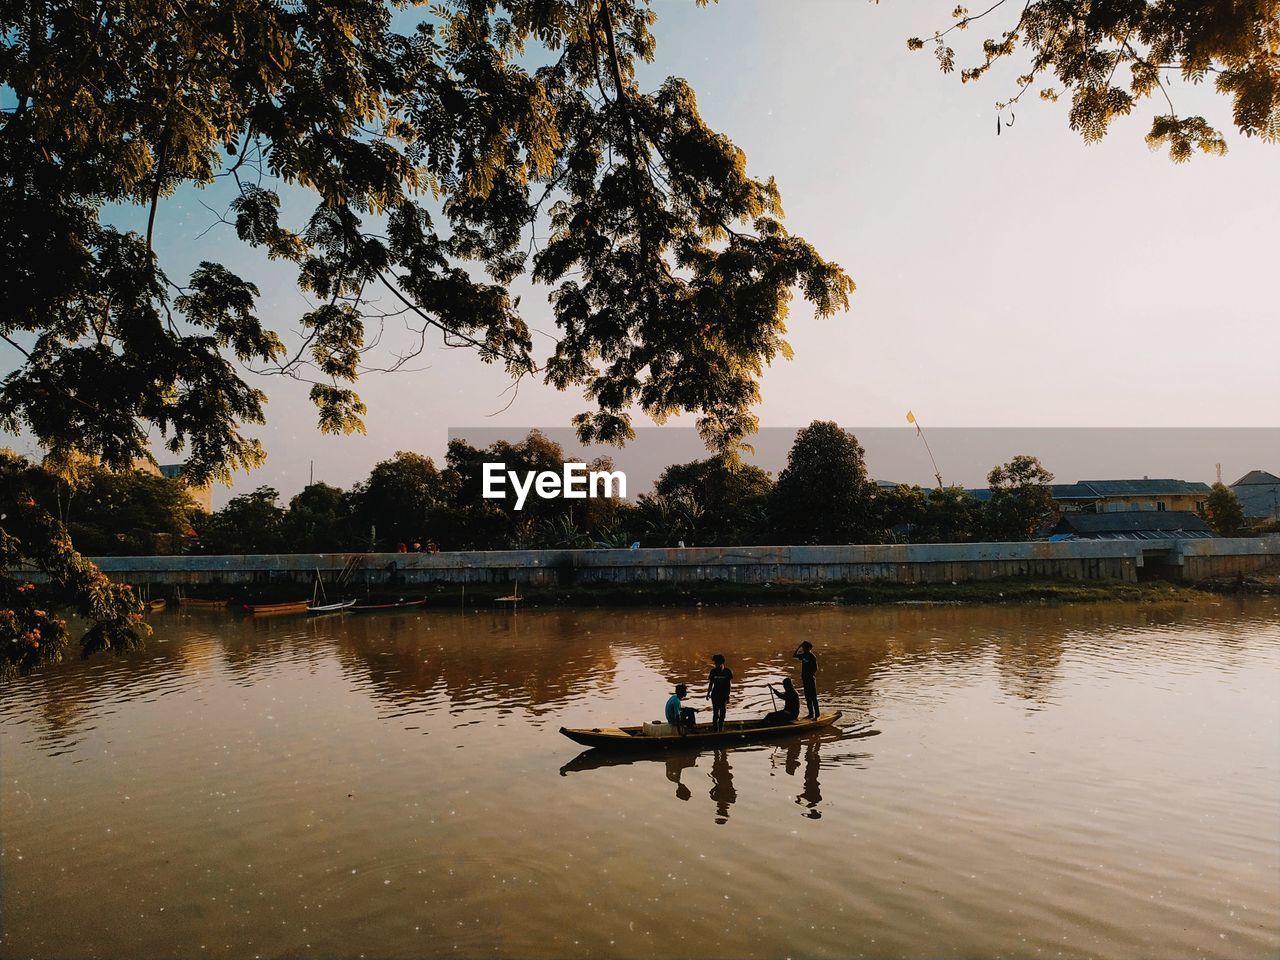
824,495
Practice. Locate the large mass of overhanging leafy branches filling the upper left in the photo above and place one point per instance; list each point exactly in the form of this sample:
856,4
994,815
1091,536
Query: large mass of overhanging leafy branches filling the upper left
427,149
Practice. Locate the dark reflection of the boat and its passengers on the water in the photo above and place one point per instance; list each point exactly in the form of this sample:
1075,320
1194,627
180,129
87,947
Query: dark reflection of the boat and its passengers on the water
724,793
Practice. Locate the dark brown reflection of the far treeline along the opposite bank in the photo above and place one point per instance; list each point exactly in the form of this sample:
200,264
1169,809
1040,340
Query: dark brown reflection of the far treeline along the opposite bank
556,665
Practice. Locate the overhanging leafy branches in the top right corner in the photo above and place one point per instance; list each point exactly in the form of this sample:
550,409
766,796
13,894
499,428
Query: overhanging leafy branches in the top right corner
1110,56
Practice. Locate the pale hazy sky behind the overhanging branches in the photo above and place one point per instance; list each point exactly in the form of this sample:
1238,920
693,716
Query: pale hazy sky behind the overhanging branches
1023,280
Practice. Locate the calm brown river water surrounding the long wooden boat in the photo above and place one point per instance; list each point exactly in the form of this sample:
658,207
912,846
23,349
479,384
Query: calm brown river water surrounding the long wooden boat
1080,781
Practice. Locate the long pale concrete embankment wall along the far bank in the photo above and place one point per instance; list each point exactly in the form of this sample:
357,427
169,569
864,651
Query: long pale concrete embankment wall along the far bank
1082,560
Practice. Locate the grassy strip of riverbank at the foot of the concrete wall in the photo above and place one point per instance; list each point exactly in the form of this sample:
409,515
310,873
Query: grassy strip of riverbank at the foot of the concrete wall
1014,591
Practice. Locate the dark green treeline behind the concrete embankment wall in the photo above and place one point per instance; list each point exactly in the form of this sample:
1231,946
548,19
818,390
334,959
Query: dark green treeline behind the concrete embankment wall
822,496
